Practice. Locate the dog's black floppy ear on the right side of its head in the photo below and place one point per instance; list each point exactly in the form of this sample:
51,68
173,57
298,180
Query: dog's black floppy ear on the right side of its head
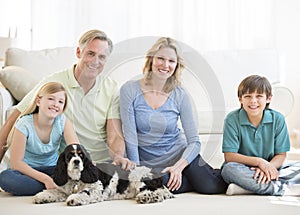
90,171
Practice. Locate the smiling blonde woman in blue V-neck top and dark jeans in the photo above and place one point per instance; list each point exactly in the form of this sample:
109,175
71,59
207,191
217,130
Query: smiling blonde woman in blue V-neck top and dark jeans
150,110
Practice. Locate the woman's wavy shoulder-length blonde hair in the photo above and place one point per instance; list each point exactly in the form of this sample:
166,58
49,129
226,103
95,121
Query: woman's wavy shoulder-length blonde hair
173,81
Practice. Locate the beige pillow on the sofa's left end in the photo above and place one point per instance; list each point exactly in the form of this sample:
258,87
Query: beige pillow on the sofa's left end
17,80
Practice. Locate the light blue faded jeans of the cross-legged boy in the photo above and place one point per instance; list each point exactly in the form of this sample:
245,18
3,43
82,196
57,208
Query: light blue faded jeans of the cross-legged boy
242,175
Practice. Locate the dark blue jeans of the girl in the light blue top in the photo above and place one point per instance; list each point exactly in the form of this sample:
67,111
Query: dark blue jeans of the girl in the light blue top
16,183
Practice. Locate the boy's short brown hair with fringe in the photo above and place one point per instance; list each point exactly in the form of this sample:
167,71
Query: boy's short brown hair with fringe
255,83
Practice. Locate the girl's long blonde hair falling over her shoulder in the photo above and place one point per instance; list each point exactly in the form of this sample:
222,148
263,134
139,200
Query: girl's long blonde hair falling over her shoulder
46,89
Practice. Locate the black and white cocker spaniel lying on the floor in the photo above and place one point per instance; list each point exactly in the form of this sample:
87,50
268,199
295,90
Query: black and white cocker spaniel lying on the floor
80,182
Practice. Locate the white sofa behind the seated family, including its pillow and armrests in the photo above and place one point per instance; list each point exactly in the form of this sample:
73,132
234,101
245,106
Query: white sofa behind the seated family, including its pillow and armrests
211,78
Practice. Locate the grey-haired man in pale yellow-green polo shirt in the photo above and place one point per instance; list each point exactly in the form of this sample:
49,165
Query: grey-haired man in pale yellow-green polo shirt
93,102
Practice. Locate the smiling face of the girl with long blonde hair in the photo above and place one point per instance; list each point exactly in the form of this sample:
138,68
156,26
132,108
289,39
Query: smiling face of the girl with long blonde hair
52,105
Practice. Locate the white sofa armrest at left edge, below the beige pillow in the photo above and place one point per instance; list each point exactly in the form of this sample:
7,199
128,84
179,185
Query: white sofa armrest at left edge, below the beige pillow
6,102
